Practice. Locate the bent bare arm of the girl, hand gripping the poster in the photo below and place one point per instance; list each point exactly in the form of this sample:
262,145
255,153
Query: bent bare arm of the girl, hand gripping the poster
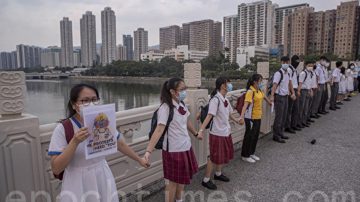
60,162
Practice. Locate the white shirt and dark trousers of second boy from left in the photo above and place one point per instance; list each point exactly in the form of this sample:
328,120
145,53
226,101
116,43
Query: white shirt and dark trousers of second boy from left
293,108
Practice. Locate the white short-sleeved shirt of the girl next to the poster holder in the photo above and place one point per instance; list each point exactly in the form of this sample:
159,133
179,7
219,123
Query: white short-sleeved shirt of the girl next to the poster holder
179,139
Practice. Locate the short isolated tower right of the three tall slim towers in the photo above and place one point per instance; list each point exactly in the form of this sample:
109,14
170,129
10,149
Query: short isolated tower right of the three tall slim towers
140,43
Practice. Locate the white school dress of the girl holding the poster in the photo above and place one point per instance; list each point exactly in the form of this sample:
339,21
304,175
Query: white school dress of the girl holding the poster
83,175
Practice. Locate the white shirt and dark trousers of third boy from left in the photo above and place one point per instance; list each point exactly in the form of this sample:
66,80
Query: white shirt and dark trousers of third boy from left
305,79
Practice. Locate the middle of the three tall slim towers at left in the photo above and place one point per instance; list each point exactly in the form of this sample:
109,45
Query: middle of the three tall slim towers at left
88,39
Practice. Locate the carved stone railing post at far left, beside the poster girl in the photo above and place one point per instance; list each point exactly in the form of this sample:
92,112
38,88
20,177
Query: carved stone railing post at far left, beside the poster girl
21,170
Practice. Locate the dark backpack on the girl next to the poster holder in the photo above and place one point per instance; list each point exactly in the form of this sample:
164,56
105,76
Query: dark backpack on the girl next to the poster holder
154,119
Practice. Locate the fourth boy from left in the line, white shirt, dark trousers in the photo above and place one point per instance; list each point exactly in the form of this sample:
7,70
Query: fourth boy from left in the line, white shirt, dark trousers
321,80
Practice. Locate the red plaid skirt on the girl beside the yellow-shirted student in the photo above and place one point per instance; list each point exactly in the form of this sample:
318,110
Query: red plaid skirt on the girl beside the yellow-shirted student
221,149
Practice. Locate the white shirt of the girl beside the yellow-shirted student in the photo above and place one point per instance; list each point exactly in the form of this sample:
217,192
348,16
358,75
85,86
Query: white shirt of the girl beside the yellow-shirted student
220,126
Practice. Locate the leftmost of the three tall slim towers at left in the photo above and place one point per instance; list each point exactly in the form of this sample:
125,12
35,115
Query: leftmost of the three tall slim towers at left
67,58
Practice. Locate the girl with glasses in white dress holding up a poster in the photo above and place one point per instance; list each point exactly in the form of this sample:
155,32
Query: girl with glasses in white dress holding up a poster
83,177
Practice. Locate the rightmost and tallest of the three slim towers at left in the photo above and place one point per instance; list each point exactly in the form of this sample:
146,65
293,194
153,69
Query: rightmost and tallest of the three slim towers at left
108,34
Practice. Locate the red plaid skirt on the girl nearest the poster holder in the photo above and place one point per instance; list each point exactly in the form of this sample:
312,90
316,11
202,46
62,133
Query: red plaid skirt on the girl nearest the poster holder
179,167
